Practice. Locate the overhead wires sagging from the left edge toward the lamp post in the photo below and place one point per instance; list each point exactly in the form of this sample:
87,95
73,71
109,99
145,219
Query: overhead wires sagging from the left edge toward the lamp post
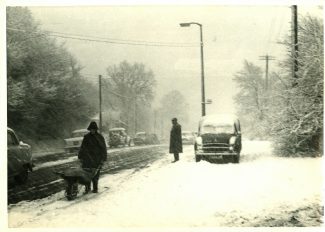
106,40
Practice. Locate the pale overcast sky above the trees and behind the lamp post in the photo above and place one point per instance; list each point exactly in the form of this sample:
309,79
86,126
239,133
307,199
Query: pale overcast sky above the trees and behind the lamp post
230,33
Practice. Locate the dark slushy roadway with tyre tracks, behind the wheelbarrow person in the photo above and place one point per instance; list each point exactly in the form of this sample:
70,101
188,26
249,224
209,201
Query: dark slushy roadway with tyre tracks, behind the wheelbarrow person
44,182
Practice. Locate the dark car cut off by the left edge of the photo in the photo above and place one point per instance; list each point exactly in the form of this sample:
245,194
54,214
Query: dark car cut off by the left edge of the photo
20,160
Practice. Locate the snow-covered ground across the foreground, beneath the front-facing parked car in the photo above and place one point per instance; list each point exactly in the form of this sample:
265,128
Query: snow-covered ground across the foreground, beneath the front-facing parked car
263,190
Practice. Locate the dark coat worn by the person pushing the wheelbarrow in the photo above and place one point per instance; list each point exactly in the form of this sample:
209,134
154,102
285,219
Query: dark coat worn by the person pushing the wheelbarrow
93,150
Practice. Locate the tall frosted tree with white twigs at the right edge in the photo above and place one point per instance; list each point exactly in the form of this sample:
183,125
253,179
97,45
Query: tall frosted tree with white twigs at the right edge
298,109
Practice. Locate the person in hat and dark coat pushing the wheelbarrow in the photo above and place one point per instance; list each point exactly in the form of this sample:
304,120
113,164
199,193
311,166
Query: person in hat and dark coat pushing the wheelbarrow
93,153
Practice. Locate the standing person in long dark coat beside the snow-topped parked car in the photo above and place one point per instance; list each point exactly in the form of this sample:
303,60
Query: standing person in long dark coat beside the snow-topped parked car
175,143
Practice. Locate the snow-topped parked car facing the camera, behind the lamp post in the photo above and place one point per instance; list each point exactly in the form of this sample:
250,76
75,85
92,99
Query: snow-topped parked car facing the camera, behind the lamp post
219,136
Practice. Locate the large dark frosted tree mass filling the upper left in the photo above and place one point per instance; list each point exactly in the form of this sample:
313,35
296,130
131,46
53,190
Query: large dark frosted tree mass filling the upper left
46,97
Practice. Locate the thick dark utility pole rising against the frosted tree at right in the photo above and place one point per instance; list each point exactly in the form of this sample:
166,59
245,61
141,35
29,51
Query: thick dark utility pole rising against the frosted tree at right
294,37
